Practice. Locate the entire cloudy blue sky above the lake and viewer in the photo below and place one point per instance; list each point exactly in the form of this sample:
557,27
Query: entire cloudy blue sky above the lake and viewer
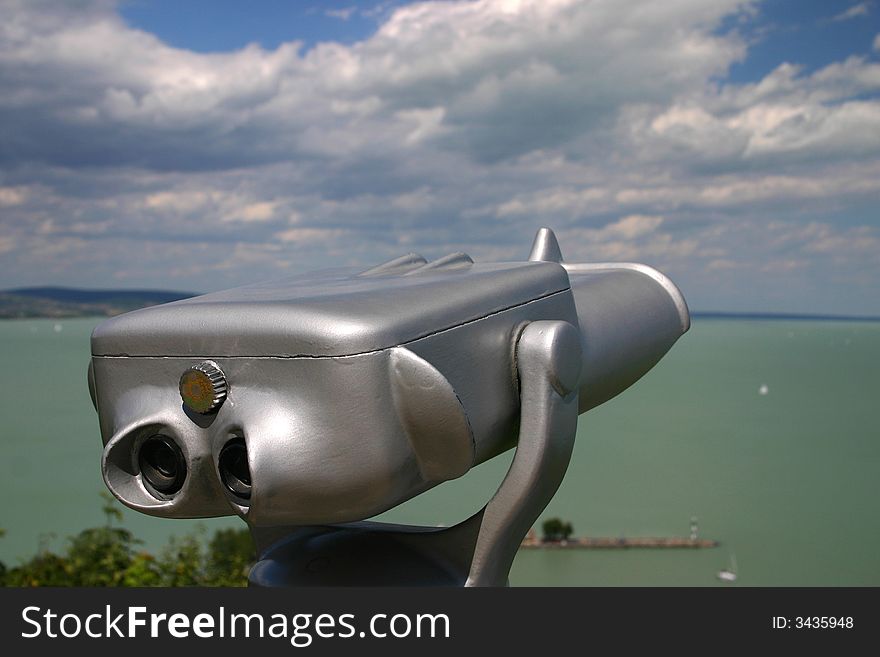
734,145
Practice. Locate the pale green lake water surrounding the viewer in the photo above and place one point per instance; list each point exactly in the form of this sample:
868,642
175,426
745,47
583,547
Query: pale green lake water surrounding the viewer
766,431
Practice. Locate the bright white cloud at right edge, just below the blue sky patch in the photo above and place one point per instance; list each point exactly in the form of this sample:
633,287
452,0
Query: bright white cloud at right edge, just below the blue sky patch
832,113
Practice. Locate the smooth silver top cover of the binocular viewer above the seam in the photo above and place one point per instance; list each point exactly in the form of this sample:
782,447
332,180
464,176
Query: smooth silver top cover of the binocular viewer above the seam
329,313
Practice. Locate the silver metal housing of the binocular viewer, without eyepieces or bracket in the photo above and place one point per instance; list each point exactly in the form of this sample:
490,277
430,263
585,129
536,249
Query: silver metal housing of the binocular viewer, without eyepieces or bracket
355,391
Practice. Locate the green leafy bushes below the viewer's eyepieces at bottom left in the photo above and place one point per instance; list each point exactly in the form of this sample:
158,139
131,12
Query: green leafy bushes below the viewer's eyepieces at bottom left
111,556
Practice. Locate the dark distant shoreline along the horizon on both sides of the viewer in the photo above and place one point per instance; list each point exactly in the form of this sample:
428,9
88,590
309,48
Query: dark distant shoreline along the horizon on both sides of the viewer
69,303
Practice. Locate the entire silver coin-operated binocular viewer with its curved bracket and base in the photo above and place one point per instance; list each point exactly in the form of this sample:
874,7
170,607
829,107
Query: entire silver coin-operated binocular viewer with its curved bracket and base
310,404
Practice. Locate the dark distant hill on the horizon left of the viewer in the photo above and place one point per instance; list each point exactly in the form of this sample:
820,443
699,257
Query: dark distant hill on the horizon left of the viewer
73,302
